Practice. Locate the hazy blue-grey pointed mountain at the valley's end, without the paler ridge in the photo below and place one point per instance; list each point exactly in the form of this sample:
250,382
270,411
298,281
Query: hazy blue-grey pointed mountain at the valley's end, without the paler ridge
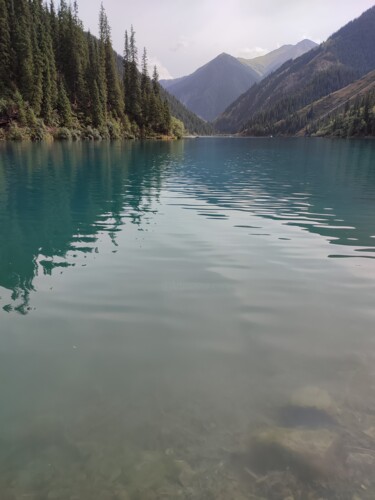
210,89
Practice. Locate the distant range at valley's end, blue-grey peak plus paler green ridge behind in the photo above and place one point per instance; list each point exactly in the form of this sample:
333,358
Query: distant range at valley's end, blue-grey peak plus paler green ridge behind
212,88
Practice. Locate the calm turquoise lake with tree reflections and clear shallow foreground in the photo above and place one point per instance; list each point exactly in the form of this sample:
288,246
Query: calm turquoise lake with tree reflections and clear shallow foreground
164,303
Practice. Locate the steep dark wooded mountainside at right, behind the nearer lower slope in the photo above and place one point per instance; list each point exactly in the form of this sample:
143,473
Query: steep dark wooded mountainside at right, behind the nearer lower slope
345,57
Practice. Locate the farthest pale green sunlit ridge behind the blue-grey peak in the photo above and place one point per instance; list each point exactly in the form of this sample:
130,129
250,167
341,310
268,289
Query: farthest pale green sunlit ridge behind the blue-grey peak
264,65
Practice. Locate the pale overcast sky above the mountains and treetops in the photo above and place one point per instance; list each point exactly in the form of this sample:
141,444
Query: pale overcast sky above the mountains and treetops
181,35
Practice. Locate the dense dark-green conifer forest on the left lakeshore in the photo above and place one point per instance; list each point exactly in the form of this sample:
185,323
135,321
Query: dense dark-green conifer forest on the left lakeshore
56,79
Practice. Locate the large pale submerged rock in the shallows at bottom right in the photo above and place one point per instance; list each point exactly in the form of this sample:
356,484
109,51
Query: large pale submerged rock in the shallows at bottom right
307,453
